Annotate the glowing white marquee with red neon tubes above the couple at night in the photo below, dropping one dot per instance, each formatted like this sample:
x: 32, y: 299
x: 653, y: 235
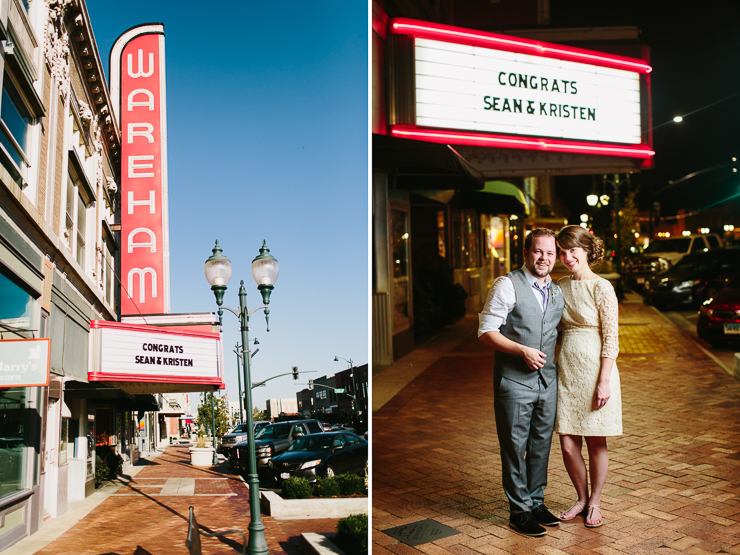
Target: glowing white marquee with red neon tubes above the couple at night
x: 479, y: 88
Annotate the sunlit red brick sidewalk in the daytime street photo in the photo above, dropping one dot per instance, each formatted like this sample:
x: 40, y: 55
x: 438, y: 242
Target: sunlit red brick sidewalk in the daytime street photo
x: 149, y: 515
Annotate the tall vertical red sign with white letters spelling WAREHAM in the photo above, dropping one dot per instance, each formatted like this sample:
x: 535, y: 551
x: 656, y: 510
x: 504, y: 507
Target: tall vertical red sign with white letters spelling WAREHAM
x: 138, y: 90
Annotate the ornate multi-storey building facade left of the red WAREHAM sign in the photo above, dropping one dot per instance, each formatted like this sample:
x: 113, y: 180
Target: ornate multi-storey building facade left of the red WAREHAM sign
x: 47, y: 119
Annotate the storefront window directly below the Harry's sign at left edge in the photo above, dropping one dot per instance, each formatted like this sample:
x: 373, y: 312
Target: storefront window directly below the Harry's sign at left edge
x: 16, y: 413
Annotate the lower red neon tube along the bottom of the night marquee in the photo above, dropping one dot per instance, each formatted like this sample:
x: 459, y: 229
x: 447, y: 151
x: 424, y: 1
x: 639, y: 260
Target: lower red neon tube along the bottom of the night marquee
x: 511, y: 141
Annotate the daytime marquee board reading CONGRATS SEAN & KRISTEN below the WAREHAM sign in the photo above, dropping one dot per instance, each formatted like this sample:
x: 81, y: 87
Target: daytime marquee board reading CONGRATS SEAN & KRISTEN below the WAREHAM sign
x: 122, y: 352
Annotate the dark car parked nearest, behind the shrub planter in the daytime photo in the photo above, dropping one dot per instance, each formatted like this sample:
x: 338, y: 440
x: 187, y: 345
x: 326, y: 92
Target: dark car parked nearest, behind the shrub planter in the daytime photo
x: 319, y: 455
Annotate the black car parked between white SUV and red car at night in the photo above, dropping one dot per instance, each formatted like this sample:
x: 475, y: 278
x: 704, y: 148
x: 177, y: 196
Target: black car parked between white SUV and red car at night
x: 694, y: 279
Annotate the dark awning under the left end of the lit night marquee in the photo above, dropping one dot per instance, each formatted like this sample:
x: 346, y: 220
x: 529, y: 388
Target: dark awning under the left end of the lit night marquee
x: 424, y: 165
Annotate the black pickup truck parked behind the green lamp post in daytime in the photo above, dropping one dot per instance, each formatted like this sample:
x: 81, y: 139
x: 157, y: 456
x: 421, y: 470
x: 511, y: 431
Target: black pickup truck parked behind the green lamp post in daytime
x: 270, y: 441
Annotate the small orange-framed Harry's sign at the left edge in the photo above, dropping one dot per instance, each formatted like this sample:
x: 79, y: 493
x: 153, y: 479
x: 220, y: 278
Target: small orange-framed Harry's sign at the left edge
x: 24, y: 362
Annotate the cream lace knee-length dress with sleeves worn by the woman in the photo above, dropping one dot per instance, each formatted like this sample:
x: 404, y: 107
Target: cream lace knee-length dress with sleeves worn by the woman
x: 590, y: 327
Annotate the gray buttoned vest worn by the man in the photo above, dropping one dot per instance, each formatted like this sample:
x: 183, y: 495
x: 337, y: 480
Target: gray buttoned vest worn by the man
x: 529, y: 326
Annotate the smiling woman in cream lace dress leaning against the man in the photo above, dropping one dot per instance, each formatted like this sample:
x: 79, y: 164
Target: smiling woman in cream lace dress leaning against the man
x: 589, y: 398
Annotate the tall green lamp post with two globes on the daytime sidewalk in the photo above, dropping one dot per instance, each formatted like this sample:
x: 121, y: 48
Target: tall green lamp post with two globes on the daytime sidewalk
x: 265, y: 273
